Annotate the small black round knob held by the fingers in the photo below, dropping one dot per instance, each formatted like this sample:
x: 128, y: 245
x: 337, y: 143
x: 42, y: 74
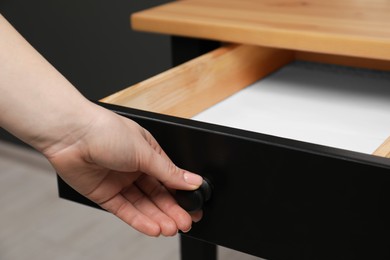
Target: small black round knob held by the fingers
x: 194, y: 200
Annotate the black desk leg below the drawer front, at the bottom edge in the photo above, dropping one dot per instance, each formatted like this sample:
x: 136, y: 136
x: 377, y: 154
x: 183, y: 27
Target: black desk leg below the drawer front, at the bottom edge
x: 194, y: 249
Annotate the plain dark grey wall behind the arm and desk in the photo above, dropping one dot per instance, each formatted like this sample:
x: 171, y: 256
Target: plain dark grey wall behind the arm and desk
x: 90, y: 41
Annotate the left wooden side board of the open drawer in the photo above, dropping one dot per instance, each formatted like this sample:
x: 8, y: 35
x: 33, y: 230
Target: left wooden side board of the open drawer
x: 198, y: 84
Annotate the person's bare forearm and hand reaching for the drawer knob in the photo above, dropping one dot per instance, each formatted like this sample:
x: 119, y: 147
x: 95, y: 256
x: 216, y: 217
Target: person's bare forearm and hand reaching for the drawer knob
x: 109, y: 159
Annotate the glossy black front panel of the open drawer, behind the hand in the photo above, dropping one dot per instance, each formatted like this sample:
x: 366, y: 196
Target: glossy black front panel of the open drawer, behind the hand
x: 278, y: 198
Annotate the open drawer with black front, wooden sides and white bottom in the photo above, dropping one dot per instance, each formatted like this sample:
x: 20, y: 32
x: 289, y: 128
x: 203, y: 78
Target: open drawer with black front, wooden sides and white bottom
x: 274, y: 196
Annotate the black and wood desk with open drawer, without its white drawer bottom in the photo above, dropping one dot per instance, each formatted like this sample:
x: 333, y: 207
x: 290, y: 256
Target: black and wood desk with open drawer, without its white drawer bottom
x: 274, y: 197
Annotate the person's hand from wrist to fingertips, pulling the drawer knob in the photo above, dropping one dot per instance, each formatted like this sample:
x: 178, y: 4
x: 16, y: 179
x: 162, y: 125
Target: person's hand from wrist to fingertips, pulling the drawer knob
x: 119, y: 165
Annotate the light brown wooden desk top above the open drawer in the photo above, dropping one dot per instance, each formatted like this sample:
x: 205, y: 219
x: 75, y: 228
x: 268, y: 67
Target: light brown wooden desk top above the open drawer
x: 345, y: 27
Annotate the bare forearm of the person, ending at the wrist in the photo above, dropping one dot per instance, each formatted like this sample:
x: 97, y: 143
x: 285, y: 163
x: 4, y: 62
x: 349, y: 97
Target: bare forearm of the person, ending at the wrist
x: 37, y: 104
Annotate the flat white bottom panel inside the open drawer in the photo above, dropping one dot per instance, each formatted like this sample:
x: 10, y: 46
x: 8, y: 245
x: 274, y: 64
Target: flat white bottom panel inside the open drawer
x: 329, y: 105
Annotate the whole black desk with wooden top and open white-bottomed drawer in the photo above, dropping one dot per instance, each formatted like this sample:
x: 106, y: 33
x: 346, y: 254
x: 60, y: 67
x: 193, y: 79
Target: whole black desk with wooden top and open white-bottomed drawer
x: 284, y: 187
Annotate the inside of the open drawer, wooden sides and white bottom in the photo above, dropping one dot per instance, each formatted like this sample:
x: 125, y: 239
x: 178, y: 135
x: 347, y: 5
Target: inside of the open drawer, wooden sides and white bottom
x: 273, y: 92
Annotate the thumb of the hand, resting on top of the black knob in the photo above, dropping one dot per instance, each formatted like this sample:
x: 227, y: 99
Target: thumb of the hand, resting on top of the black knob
x: 158, y: 165
